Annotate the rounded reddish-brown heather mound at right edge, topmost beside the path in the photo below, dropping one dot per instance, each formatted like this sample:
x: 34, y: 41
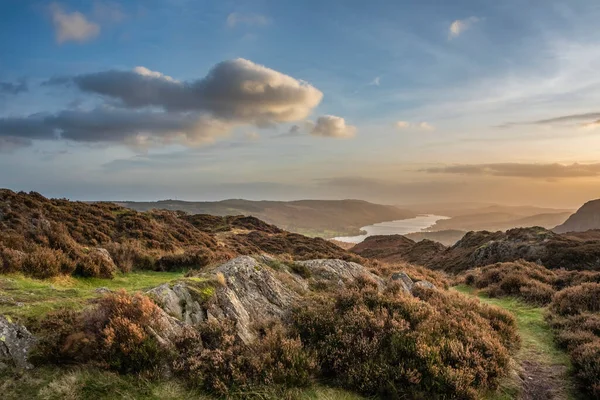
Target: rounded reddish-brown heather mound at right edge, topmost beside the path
x: 577, y: 299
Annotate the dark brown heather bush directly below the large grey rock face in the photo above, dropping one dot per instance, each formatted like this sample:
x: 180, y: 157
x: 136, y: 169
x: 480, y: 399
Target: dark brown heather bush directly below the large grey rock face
x: 215, y: 359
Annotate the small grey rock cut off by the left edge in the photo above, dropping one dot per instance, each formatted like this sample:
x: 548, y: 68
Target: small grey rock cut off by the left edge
x: 15, y: 343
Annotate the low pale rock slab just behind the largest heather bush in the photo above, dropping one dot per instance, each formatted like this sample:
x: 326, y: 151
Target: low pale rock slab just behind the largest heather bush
x: 338, y: 271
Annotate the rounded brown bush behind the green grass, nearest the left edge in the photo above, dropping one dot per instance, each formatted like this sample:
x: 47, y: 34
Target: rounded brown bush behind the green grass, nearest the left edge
x: 45, y: 263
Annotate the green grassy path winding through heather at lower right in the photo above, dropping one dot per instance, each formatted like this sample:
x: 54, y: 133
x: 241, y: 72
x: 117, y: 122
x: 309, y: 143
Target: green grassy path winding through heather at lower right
x: 537, y: 342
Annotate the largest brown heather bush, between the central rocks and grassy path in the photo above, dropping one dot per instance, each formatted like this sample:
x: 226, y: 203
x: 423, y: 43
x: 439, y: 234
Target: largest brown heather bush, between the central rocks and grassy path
x: 396, y: 345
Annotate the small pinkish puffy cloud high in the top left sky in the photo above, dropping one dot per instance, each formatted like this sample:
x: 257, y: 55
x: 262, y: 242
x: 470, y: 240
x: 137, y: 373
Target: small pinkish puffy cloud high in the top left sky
x: 72, y: 26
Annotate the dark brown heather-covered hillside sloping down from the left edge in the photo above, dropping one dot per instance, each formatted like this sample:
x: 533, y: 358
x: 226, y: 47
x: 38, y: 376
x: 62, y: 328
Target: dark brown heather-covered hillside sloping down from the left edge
x: 45, y: 237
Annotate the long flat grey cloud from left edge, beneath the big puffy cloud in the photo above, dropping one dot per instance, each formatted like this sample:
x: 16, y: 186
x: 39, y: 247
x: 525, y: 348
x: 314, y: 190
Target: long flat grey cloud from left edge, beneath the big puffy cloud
x: 138, y: 129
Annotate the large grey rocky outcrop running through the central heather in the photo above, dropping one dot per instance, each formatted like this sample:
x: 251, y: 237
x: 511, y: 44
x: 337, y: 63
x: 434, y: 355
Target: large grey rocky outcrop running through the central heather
x: 249, y: 290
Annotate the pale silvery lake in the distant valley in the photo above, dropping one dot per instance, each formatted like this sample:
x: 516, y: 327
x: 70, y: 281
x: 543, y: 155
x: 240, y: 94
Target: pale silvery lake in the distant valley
x: 399, y: 227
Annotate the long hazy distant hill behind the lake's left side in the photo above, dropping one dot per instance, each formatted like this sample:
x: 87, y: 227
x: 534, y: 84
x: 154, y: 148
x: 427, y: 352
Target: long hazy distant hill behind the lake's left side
x: 323, y: 218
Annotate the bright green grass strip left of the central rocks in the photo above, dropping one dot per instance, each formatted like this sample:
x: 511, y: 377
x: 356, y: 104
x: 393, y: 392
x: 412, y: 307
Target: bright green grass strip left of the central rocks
x: 37, y: 297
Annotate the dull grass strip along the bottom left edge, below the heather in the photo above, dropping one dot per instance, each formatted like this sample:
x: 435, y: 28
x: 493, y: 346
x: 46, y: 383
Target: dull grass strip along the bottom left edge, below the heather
x: 87, y: 383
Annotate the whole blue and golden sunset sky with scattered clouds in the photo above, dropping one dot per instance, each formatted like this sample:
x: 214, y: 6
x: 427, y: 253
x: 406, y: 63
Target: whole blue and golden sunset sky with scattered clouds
x: 394, y: 102
